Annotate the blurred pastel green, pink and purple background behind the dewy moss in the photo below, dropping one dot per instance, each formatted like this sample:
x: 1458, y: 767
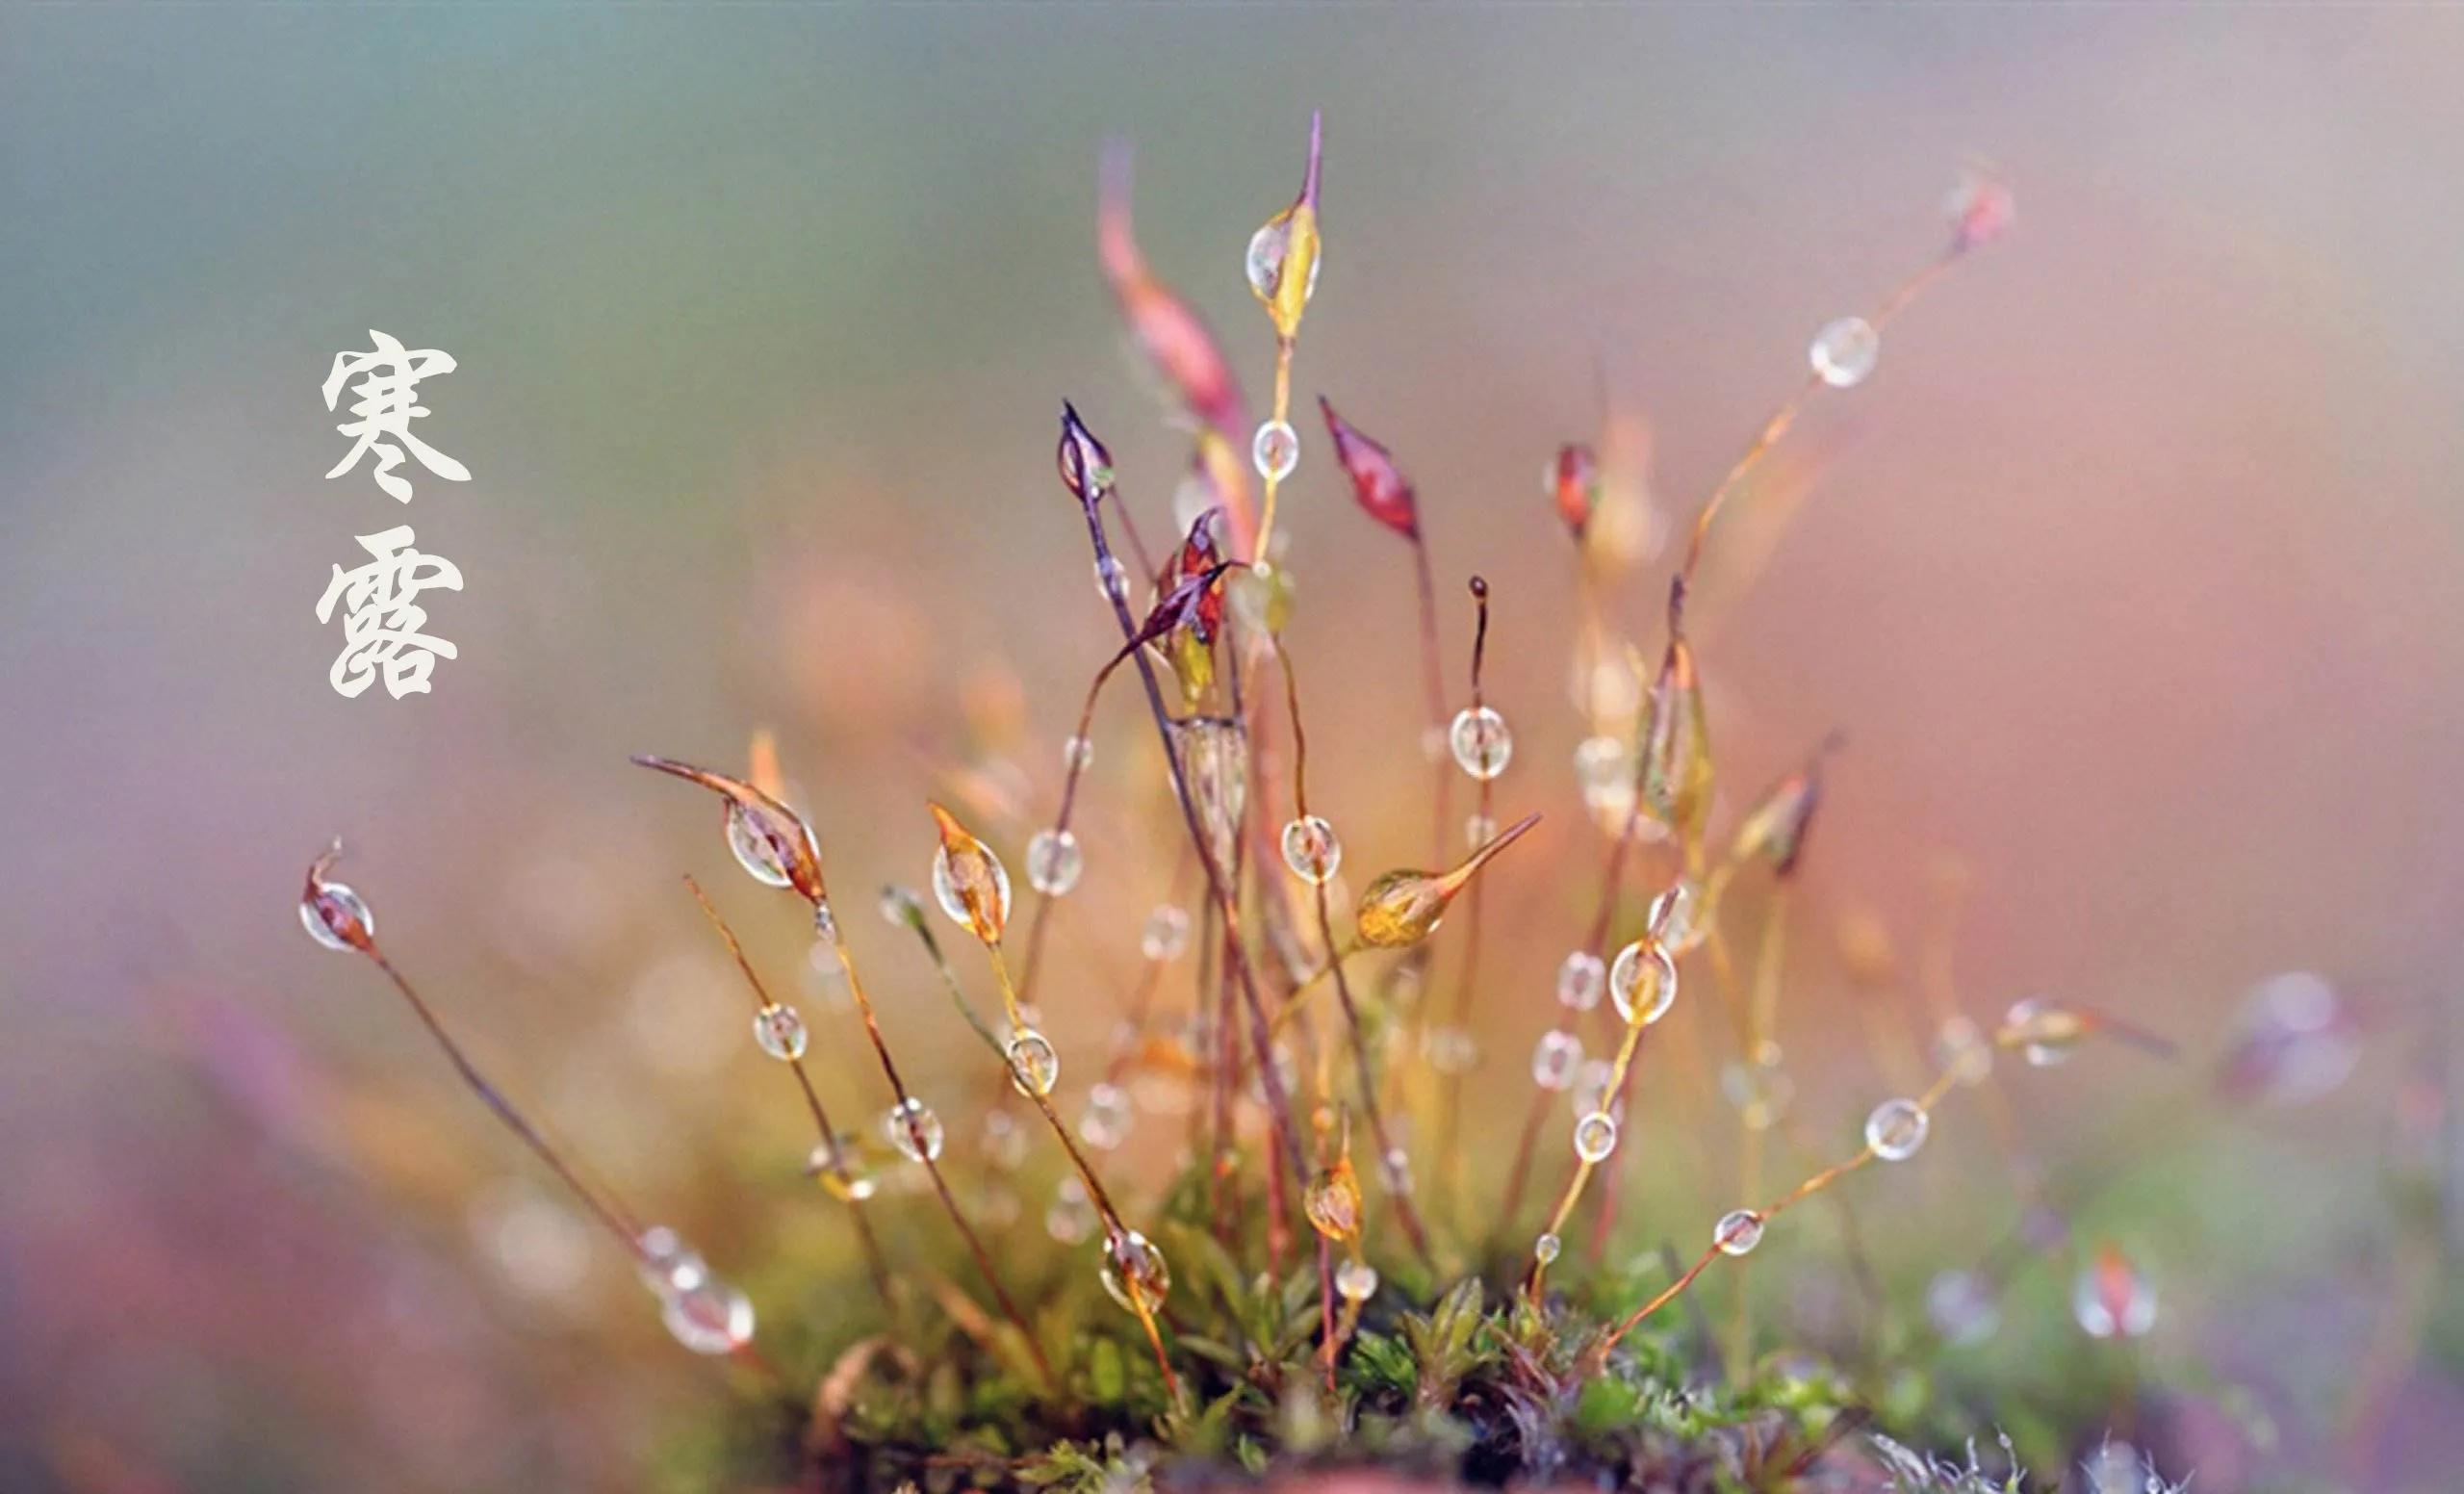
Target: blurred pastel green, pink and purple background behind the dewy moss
x: 2130, y: 581
